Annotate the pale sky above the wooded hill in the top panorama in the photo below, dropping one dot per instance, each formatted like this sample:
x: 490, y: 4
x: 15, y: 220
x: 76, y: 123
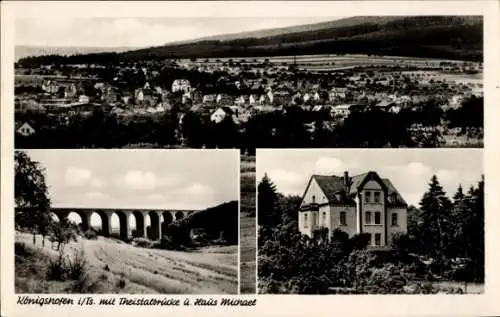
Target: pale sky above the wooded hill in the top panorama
x: 139, y: 32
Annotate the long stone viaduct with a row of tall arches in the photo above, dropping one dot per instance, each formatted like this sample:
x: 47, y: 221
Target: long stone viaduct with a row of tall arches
x: 159, y: 219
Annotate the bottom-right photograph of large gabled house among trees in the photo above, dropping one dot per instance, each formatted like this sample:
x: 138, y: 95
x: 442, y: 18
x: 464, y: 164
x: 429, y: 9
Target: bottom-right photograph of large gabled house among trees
x: 370, y: 222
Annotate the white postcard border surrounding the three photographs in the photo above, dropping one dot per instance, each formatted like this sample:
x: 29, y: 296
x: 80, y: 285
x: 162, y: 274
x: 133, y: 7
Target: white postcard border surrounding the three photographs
x: 377, y: 305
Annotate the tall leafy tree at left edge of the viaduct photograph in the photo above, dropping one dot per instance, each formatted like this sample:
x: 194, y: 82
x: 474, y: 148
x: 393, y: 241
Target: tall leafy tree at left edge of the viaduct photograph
x: 32, y: 210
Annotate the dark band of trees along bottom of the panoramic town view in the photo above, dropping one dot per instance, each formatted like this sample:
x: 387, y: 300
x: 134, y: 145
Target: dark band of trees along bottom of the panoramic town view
x: 295, y: 128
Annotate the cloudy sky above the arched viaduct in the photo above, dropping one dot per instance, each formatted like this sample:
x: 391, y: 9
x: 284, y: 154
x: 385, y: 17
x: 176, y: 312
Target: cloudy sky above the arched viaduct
x: 153, y: 179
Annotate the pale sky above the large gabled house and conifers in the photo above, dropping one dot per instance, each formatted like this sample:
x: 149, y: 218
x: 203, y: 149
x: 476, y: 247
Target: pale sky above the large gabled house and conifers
x: 409, y: 170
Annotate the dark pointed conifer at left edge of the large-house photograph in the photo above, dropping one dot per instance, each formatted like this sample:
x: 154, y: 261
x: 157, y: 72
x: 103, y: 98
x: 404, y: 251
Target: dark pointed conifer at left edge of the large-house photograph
x: 267, y: 199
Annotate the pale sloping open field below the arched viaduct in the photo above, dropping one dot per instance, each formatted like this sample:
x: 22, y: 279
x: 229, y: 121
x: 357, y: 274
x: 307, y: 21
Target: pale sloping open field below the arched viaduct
x: 144, y: 271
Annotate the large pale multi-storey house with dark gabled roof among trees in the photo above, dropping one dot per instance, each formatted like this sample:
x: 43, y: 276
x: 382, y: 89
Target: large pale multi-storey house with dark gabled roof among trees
x: 364, y: 203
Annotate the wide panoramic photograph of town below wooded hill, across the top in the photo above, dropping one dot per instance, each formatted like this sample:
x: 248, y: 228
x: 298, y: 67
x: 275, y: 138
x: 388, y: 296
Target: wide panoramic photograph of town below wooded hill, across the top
x: 249, y: 82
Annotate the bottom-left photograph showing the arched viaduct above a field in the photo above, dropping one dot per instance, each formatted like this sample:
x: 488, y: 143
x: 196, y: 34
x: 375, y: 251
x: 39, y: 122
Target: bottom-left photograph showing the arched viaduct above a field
x: 130, y: 222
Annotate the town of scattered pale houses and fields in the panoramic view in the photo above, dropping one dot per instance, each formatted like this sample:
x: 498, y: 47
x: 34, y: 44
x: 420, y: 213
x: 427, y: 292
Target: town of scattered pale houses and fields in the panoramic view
x: 239, y: 90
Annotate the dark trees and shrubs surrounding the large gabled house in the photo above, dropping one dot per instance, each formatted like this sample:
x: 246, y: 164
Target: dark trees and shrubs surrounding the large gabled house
x: 445, y: 241
